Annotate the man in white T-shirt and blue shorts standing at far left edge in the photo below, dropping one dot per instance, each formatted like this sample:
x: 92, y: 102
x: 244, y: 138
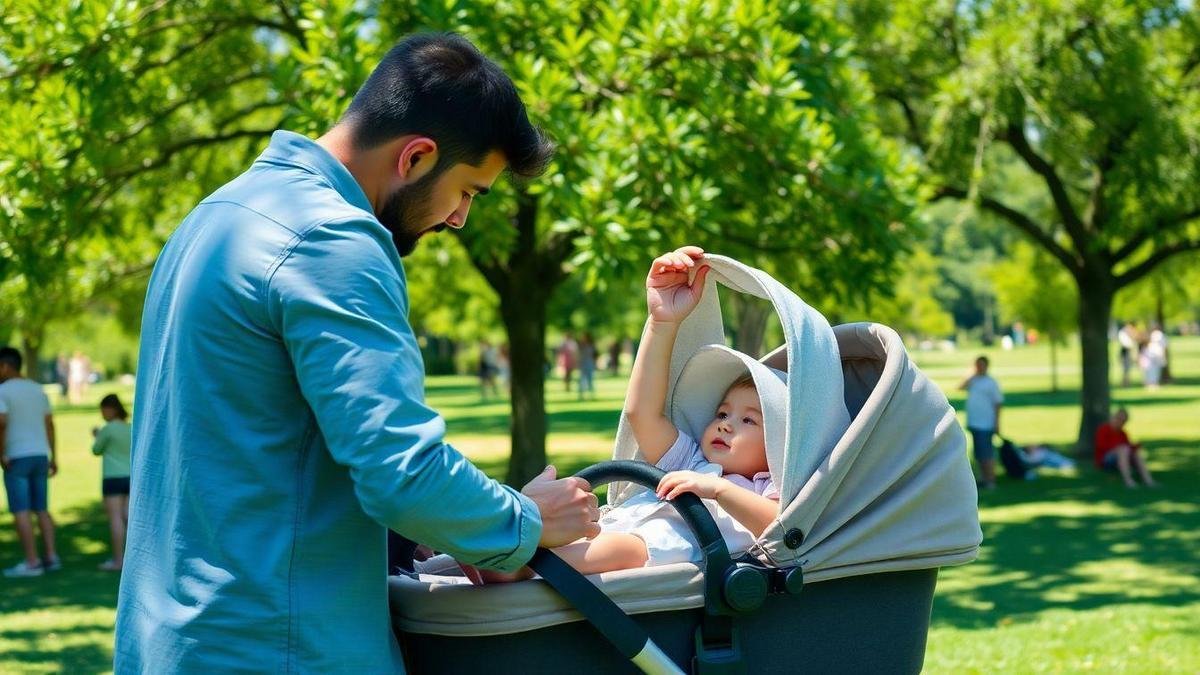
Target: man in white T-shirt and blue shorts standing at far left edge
x: 28, y: 455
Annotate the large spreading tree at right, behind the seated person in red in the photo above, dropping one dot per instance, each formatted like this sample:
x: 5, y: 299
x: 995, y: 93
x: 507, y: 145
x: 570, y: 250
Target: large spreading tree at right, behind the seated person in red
x: 1099, y: 101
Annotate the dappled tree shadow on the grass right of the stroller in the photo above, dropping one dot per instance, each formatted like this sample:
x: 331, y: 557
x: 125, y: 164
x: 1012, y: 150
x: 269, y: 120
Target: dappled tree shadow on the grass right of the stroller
x: 1082, y: 543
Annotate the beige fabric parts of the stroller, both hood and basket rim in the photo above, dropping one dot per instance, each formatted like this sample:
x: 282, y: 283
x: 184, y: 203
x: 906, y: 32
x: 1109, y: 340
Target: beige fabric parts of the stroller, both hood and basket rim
x: 873, y: 476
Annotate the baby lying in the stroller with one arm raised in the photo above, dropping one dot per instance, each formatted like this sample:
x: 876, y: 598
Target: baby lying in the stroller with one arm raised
x: 727, y: 465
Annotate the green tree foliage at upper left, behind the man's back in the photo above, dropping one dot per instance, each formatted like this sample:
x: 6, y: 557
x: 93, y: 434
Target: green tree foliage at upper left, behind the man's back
x: 119, y: 118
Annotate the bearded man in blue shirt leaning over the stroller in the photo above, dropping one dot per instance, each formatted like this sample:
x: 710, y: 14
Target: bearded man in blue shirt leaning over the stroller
x: 281, y: 421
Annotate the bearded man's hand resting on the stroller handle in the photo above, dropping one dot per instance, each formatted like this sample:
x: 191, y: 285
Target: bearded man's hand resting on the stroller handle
x: 568, y: 507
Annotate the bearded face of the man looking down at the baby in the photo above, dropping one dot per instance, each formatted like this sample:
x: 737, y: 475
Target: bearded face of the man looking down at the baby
x: 436, y: 201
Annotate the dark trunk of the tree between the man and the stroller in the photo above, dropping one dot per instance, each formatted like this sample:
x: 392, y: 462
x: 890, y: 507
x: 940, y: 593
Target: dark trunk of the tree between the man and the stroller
x: 524, y: 312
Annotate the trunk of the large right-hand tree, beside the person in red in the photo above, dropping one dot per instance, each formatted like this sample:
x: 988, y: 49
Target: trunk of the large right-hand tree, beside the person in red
x: 1095, y: 315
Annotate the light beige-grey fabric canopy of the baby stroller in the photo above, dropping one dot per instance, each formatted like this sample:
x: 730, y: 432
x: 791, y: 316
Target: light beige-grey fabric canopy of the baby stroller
x: 891, y: 491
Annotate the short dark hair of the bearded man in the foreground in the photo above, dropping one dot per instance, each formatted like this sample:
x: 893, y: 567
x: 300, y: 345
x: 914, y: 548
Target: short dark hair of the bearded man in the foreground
x: 441, y: 86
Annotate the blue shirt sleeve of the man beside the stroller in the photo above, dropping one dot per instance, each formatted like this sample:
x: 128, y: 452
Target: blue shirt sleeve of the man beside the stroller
x: 339, y: 301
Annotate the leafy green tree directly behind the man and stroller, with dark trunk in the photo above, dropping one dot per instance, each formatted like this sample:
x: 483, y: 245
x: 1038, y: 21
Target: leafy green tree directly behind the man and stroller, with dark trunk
x: 653, y: 157
